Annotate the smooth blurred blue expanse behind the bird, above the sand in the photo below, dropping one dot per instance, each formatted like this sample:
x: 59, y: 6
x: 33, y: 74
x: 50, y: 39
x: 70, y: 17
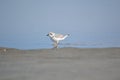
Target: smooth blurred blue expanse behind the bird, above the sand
x: 90, y: 23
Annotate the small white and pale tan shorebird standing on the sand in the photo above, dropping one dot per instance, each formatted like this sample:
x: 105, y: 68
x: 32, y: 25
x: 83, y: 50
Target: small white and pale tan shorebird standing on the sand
x: 56, y: 38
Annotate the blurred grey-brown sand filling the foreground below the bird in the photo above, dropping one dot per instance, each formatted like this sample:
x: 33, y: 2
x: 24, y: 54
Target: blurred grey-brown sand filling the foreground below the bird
x: 60, y: 64
